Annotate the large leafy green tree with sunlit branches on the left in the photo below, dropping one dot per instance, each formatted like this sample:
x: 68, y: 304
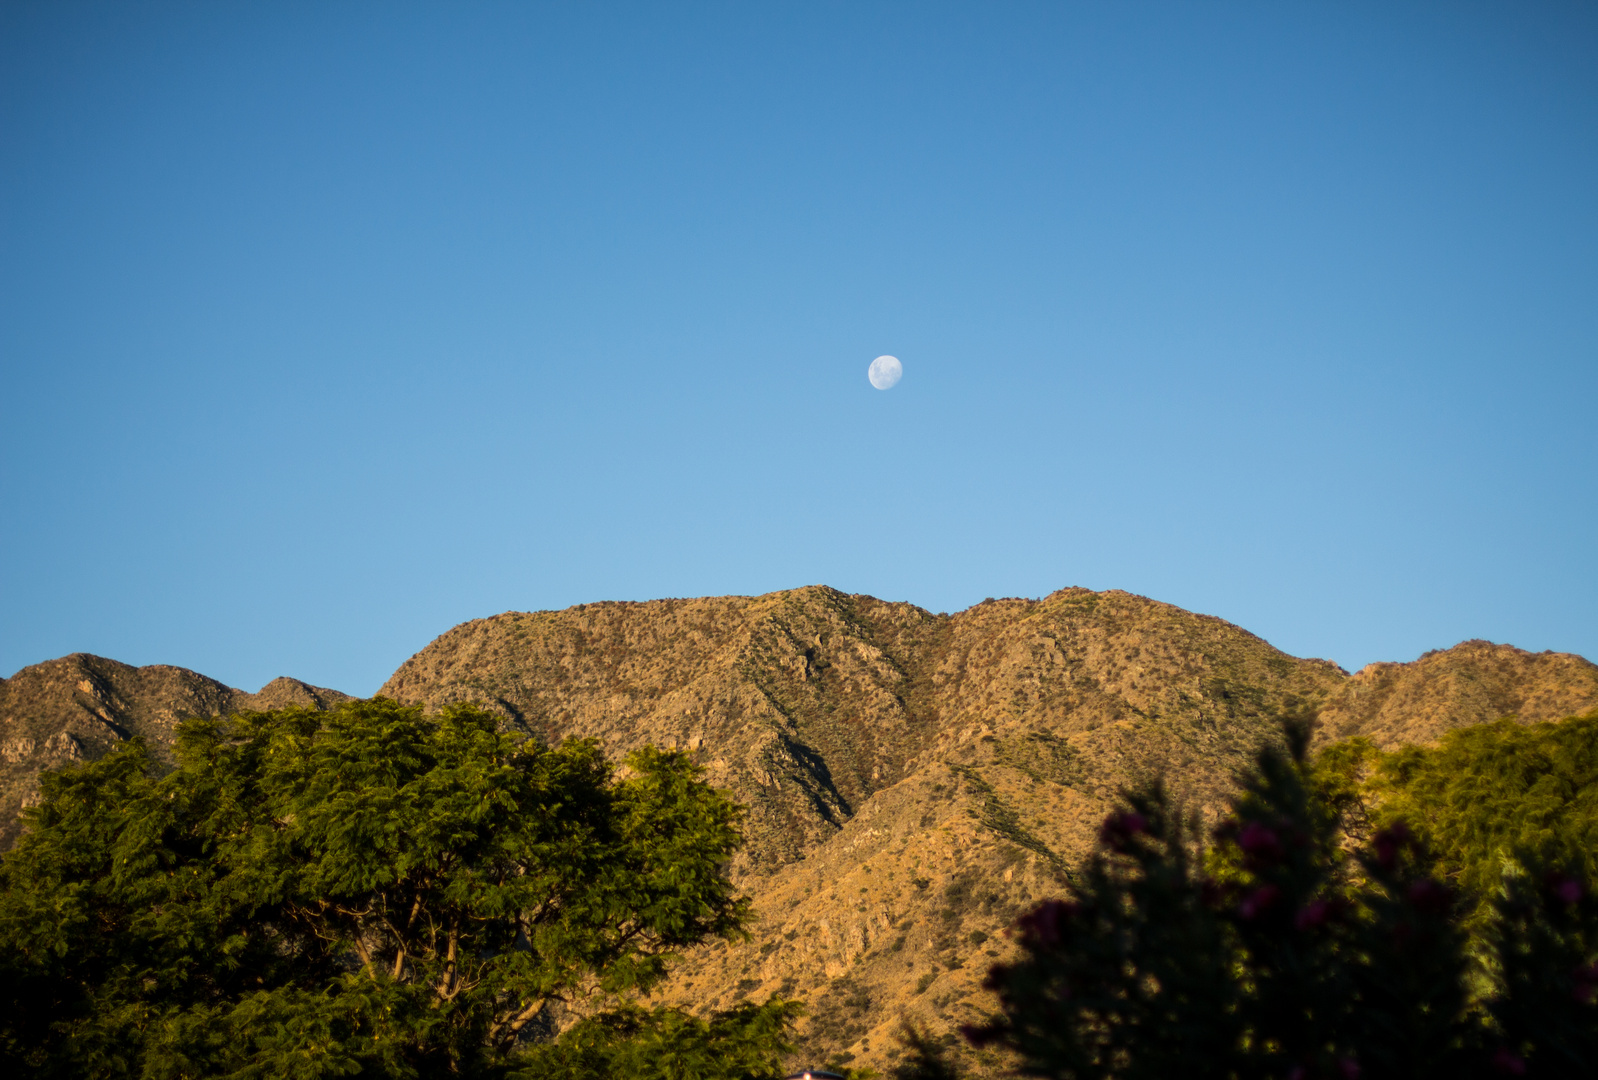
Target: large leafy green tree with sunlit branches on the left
x: 367, y: 892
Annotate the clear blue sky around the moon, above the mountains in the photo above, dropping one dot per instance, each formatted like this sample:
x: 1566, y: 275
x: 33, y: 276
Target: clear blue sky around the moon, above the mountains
x: 330, y: 327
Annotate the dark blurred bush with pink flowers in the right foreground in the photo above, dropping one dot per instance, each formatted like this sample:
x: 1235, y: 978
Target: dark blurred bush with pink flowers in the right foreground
x: 1287, y: 951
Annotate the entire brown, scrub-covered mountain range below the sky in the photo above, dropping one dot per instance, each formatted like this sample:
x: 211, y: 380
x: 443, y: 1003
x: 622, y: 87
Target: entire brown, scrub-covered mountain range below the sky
x: 913, y: 780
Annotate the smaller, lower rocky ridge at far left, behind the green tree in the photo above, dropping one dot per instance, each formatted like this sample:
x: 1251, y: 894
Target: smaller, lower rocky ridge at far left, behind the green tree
x: 79, y: 707
